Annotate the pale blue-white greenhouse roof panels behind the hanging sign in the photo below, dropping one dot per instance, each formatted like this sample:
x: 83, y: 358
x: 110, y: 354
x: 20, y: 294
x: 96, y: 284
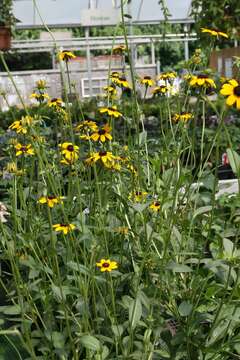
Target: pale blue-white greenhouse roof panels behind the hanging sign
x: 70, y: 13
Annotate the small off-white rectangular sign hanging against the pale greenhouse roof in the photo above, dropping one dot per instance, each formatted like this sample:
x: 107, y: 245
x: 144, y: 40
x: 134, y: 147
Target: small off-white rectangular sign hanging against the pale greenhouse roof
x: 99, y: 17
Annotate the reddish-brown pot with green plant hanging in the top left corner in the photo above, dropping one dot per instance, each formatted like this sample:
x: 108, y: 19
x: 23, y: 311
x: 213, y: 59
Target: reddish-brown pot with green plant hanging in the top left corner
x: 7, y: 20
